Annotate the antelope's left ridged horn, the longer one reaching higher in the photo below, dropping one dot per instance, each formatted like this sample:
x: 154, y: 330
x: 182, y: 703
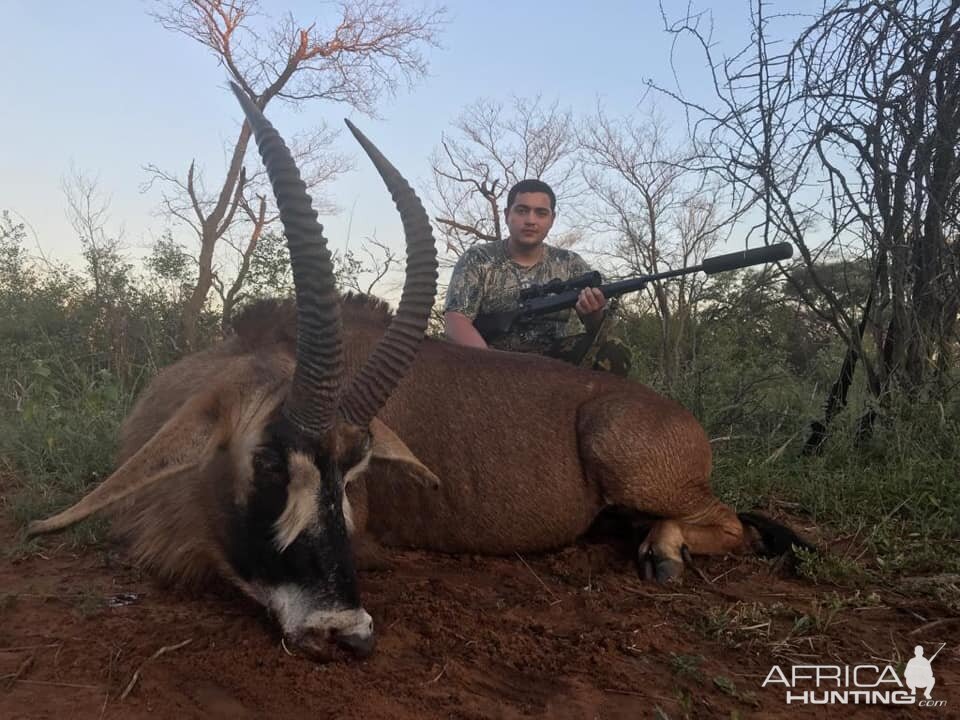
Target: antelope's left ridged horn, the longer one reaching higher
x: 312, y: 402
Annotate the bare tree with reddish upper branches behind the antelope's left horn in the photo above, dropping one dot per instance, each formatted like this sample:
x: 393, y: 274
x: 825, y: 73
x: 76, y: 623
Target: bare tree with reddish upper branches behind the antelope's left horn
x: 371, y: 46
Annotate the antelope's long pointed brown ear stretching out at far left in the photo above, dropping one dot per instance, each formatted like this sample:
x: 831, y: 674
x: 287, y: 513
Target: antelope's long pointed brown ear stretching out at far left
x: 179, y: 446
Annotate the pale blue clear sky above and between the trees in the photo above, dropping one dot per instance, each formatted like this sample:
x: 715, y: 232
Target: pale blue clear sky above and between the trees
x: 103, y: 88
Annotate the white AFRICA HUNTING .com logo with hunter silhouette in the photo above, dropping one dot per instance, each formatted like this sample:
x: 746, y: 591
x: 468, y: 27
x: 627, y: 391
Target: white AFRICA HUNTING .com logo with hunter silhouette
x: 864, y: 684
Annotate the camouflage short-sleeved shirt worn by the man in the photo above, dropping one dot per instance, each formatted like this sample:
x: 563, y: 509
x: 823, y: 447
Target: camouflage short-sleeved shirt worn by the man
x: 486, y: 280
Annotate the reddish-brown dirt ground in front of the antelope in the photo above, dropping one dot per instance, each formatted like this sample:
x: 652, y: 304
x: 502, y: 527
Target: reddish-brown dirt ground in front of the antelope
x: 573, y: 634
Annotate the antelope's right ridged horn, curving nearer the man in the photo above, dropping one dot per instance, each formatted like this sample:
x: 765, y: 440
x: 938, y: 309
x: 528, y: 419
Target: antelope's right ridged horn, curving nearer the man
x: 395, y: 351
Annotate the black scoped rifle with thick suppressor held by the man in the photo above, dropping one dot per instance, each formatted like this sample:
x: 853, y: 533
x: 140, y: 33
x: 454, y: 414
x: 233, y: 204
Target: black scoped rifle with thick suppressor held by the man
x: 559, y: 294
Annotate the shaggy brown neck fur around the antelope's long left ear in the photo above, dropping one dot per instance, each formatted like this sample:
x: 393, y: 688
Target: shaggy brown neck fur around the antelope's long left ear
x: 176, y: 528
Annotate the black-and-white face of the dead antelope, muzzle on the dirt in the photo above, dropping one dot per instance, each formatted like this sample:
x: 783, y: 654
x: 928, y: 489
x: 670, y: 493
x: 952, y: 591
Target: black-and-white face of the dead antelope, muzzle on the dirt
x: 290, y: 546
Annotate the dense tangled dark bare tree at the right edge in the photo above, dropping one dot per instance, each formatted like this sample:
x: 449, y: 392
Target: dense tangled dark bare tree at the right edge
x: 844, y: 142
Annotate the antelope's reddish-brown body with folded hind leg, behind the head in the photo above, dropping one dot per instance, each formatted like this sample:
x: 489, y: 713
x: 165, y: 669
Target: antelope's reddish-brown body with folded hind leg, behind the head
x: 529, y: 451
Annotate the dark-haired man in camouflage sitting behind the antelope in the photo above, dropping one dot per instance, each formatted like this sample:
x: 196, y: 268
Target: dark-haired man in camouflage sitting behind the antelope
x: 489, y: 277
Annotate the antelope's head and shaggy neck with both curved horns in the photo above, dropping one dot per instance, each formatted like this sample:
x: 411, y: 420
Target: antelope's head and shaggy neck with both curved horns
x: 233, y: 460
